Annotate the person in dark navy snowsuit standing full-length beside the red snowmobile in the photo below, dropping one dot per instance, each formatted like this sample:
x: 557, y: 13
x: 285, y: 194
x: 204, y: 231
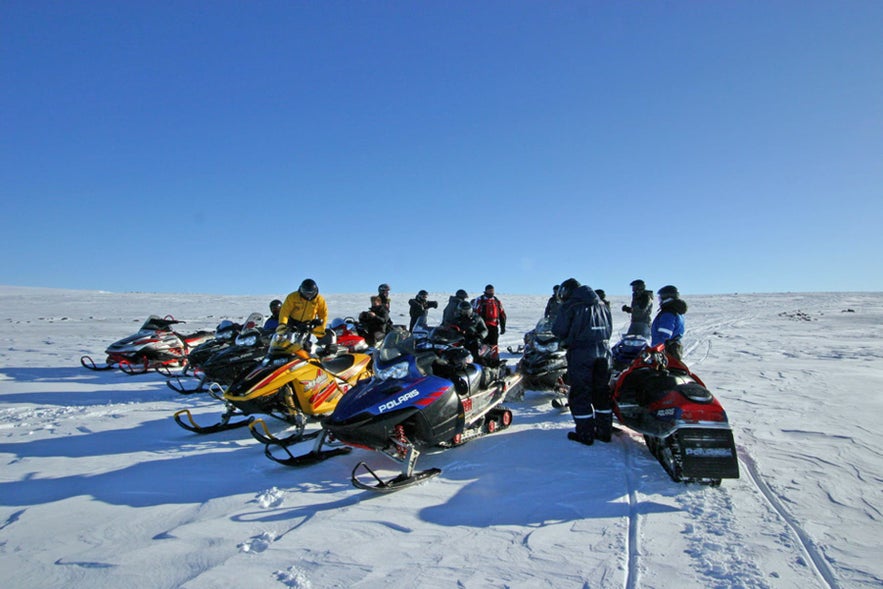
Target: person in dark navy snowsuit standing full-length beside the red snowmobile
x: 584, y: 326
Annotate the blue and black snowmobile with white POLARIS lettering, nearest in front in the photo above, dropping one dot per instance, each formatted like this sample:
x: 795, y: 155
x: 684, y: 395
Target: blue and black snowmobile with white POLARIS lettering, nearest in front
x: 426, y: 393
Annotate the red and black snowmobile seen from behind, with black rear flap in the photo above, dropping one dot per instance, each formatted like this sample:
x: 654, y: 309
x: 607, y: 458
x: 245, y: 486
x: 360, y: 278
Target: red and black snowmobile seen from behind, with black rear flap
x: 684, y: 425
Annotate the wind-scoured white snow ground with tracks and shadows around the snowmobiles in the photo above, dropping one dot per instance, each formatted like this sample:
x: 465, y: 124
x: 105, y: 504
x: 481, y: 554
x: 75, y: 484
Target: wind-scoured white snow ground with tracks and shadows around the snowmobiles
x: 99, y: 488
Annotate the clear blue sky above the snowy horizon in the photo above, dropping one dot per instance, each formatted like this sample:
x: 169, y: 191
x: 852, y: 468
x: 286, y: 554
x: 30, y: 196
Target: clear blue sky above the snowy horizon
x: 239, y: 147
